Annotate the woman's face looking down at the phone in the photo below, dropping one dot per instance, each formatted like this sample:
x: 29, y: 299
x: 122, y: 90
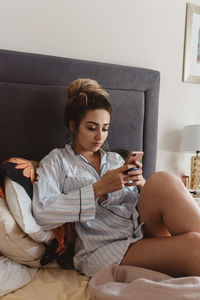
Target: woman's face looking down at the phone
x: 92, y: 131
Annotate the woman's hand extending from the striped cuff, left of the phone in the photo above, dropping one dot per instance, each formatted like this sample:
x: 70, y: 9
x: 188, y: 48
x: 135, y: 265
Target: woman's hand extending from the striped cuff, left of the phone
x: 113, y: 180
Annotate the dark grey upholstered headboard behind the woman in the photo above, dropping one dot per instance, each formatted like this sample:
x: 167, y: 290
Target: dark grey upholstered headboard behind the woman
x: 33, y: 95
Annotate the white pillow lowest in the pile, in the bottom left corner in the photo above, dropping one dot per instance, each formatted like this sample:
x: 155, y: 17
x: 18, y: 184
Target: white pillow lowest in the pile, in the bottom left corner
x: 13, y: 275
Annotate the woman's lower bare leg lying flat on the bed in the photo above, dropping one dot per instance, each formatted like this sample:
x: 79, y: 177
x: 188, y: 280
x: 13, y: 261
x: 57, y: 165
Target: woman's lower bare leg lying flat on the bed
x: 175, y: 255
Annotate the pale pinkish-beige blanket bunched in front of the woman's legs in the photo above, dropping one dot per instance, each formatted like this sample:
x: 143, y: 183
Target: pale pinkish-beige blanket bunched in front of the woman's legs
x: 129, y: 283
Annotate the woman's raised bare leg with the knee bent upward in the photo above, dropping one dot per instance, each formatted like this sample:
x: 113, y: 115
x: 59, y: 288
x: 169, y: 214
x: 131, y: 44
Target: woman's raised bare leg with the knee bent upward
x: 165, y: 205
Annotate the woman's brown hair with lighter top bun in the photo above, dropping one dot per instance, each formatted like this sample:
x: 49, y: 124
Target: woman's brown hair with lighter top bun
x: 84, y: 95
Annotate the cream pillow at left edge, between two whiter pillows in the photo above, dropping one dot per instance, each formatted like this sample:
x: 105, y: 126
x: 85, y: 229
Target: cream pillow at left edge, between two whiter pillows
x: 14, y: 243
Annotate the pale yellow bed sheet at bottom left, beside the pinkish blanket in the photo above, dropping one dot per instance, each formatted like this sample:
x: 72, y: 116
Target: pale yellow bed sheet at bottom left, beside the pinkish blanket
x: 53, y: 284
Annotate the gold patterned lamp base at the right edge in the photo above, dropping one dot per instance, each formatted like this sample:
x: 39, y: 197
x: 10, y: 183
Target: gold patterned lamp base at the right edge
x: 195, y: 172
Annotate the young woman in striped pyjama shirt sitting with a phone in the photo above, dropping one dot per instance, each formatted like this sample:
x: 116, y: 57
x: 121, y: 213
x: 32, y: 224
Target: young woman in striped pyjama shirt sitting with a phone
x: 157, y: 228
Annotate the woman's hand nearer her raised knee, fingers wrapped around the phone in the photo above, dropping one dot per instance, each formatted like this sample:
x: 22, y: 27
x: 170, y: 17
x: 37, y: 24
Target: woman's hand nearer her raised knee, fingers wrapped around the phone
x: 136, y: 176
